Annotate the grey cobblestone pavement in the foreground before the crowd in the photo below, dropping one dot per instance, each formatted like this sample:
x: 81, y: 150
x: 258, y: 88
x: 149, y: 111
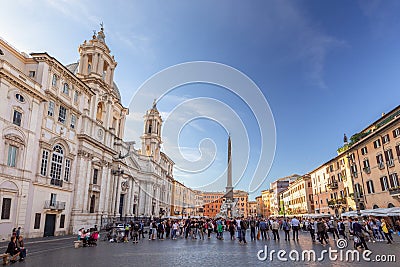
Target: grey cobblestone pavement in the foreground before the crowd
x: 188, y: 252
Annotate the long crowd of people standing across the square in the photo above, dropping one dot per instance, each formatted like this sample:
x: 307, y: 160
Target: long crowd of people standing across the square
x: 320, y: 229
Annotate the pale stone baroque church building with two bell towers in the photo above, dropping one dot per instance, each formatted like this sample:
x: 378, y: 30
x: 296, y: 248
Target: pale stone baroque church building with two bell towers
x: 64, y: 163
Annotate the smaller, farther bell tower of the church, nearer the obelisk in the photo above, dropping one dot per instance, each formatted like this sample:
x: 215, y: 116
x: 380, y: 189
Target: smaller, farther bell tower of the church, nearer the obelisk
x: 151, y: 138
